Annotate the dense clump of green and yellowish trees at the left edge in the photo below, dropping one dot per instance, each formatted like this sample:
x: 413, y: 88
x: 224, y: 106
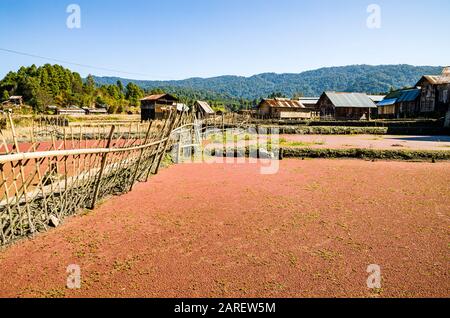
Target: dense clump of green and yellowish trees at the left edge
x: 50, y: 85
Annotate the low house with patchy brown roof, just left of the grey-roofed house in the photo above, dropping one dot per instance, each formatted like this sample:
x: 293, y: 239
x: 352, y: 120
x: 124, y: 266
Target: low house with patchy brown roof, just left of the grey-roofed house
x: 284, y: 108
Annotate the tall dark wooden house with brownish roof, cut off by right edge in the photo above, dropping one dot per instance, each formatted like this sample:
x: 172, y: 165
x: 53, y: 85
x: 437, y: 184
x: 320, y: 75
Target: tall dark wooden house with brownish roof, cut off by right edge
x: 435, y: 93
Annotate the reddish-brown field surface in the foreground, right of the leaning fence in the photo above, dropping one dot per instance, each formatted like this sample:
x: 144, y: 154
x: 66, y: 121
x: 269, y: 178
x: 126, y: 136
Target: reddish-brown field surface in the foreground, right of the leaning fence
x: 194, y: 230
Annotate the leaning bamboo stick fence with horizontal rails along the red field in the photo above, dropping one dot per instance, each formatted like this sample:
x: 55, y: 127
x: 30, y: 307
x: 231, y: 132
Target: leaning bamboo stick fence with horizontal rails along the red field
x: 50, y: 173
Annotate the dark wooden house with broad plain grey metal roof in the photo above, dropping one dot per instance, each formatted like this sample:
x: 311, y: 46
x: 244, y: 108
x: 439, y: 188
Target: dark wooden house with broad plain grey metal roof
x: 345, y: 106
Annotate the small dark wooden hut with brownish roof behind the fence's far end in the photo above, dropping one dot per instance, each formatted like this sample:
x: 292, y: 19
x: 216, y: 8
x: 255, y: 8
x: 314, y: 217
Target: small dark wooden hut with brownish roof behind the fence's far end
x: 157, y: 106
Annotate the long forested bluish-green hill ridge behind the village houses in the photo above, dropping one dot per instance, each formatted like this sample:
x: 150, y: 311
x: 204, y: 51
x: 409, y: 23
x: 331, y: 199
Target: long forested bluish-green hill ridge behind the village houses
x: 355, y: 78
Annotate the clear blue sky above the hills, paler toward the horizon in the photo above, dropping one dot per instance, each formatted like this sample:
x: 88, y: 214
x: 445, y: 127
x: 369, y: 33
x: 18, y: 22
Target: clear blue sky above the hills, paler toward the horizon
x: 176, y: 39
